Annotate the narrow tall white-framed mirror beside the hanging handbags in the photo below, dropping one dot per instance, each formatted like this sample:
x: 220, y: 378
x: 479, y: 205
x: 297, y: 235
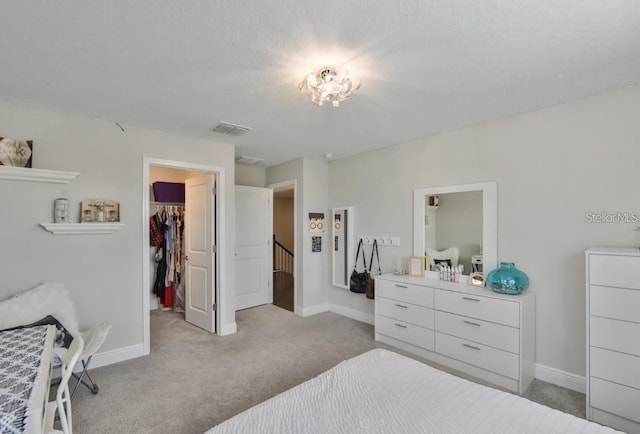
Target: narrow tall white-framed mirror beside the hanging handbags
x: 342, y: 244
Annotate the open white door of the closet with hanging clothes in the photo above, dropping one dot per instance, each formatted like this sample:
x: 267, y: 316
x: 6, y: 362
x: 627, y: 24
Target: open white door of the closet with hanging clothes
x: 200, y: 260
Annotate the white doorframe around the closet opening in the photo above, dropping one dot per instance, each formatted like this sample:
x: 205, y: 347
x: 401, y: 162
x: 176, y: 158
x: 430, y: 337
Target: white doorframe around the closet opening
x: 220, y: 260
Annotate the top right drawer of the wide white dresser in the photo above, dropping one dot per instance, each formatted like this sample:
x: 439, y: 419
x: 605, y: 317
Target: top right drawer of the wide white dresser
x: 476, y: 306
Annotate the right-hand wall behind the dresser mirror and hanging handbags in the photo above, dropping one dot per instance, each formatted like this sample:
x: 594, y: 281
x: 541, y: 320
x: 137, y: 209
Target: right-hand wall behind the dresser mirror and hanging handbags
x: 552, y: 166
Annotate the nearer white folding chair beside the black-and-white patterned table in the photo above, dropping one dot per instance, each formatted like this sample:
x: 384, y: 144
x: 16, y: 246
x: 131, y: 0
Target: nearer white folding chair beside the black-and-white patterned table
x: 62, y: 405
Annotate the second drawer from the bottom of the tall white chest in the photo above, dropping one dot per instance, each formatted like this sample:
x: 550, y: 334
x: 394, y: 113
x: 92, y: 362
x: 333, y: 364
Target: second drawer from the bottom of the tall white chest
x: 616, y: 367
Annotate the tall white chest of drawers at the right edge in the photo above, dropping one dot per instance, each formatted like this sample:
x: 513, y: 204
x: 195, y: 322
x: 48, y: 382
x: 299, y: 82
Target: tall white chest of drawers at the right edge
x: 613, y: 337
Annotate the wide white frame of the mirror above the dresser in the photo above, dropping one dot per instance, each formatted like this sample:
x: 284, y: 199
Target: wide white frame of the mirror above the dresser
x: 489, y: 218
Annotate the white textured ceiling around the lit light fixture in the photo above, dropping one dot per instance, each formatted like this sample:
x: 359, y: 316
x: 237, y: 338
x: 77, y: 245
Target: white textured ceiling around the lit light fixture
x: 426, y: 66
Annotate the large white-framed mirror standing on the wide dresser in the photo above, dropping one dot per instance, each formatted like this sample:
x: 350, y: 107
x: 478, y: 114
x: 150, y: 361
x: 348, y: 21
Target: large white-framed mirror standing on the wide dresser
x: 463, y: 217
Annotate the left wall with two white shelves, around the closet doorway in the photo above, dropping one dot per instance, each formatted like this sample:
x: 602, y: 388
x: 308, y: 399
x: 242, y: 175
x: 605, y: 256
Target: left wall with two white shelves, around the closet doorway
x: 103, y: 272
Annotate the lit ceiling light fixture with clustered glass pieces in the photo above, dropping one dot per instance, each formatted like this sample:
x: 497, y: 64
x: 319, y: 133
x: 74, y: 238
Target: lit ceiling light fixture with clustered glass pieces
x: 326, y: 85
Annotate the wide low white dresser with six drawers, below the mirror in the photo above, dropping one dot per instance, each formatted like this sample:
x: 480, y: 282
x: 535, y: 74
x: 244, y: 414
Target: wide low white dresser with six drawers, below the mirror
x: 472, y: 329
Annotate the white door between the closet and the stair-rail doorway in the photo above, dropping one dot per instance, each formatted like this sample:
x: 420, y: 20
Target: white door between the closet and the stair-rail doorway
x: 254, y: 255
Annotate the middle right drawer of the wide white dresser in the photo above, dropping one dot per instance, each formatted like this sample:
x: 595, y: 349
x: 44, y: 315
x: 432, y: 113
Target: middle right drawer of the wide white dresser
x: 488, y: 333
